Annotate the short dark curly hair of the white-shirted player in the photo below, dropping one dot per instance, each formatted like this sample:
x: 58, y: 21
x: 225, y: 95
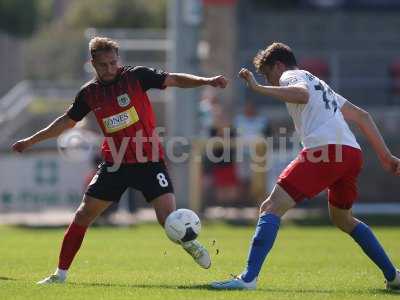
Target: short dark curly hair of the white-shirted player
x: 273, y: 53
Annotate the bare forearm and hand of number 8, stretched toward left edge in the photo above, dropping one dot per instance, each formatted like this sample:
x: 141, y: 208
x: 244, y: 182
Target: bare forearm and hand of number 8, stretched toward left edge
x: 53, y: 130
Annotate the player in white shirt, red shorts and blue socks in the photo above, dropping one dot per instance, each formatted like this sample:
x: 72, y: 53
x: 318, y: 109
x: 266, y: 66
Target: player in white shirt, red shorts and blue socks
x: 331, y: 159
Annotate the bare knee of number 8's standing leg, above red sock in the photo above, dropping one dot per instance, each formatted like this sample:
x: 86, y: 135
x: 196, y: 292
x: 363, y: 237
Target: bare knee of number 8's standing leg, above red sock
x: 89, y: 210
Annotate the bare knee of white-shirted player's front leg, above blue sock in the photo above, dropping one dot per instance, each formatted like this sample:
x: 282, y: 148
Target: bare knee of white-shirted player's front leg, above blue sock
x: 278, y: 203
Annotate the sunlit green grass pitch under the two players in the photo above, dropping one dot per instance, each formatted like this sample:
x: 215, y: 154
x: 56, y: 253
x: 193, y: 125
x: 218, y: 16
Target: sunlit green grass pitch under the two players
x: 140, y: 263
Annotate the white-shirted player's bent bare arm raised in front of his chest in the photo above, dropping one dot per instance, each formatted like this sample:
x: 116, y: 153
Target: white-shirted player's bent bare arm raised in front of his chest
x: 291, y: 94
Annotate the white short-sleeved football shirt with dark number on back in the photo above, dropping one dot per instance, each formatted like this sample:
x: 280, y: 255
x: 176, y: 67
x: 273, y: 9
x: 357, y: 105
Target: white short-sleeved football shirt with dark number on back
x: 318, y: 122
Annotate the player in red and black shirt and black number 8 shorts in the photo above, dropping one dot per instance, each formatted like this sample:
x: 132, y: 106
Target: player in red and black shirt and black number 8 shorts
x: 132, y: 153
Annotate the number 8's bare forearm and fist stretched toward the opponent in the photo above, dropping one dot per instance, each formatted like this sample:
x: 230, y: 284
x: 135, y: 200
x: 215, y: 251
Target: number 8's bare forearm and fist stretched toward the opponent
x: 183, y: 80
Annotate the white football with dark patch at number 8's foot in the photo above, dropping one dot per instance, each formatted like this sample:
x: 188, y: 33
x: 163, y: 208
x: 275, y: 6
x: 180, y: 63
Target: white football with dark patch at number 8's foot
x: 182, y: 225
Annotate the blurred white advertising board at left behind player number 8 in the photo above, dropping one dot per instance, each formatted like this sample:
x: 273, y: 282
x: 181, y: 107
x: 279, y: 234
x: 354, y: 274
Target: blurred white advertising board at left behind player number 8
x: 40, y: 181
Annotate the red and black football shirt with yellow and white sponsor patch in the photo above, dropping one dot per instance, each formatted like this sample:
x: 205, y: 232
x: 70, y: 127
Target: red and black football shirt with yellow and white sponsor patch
x: 123, y: 112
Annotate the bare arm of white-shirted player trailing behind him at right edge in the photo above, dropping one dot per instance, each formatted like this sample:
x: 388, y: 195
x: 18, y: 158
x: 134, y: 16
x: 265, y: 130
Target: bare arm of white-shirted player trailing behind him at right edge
x: 369, y: 129
